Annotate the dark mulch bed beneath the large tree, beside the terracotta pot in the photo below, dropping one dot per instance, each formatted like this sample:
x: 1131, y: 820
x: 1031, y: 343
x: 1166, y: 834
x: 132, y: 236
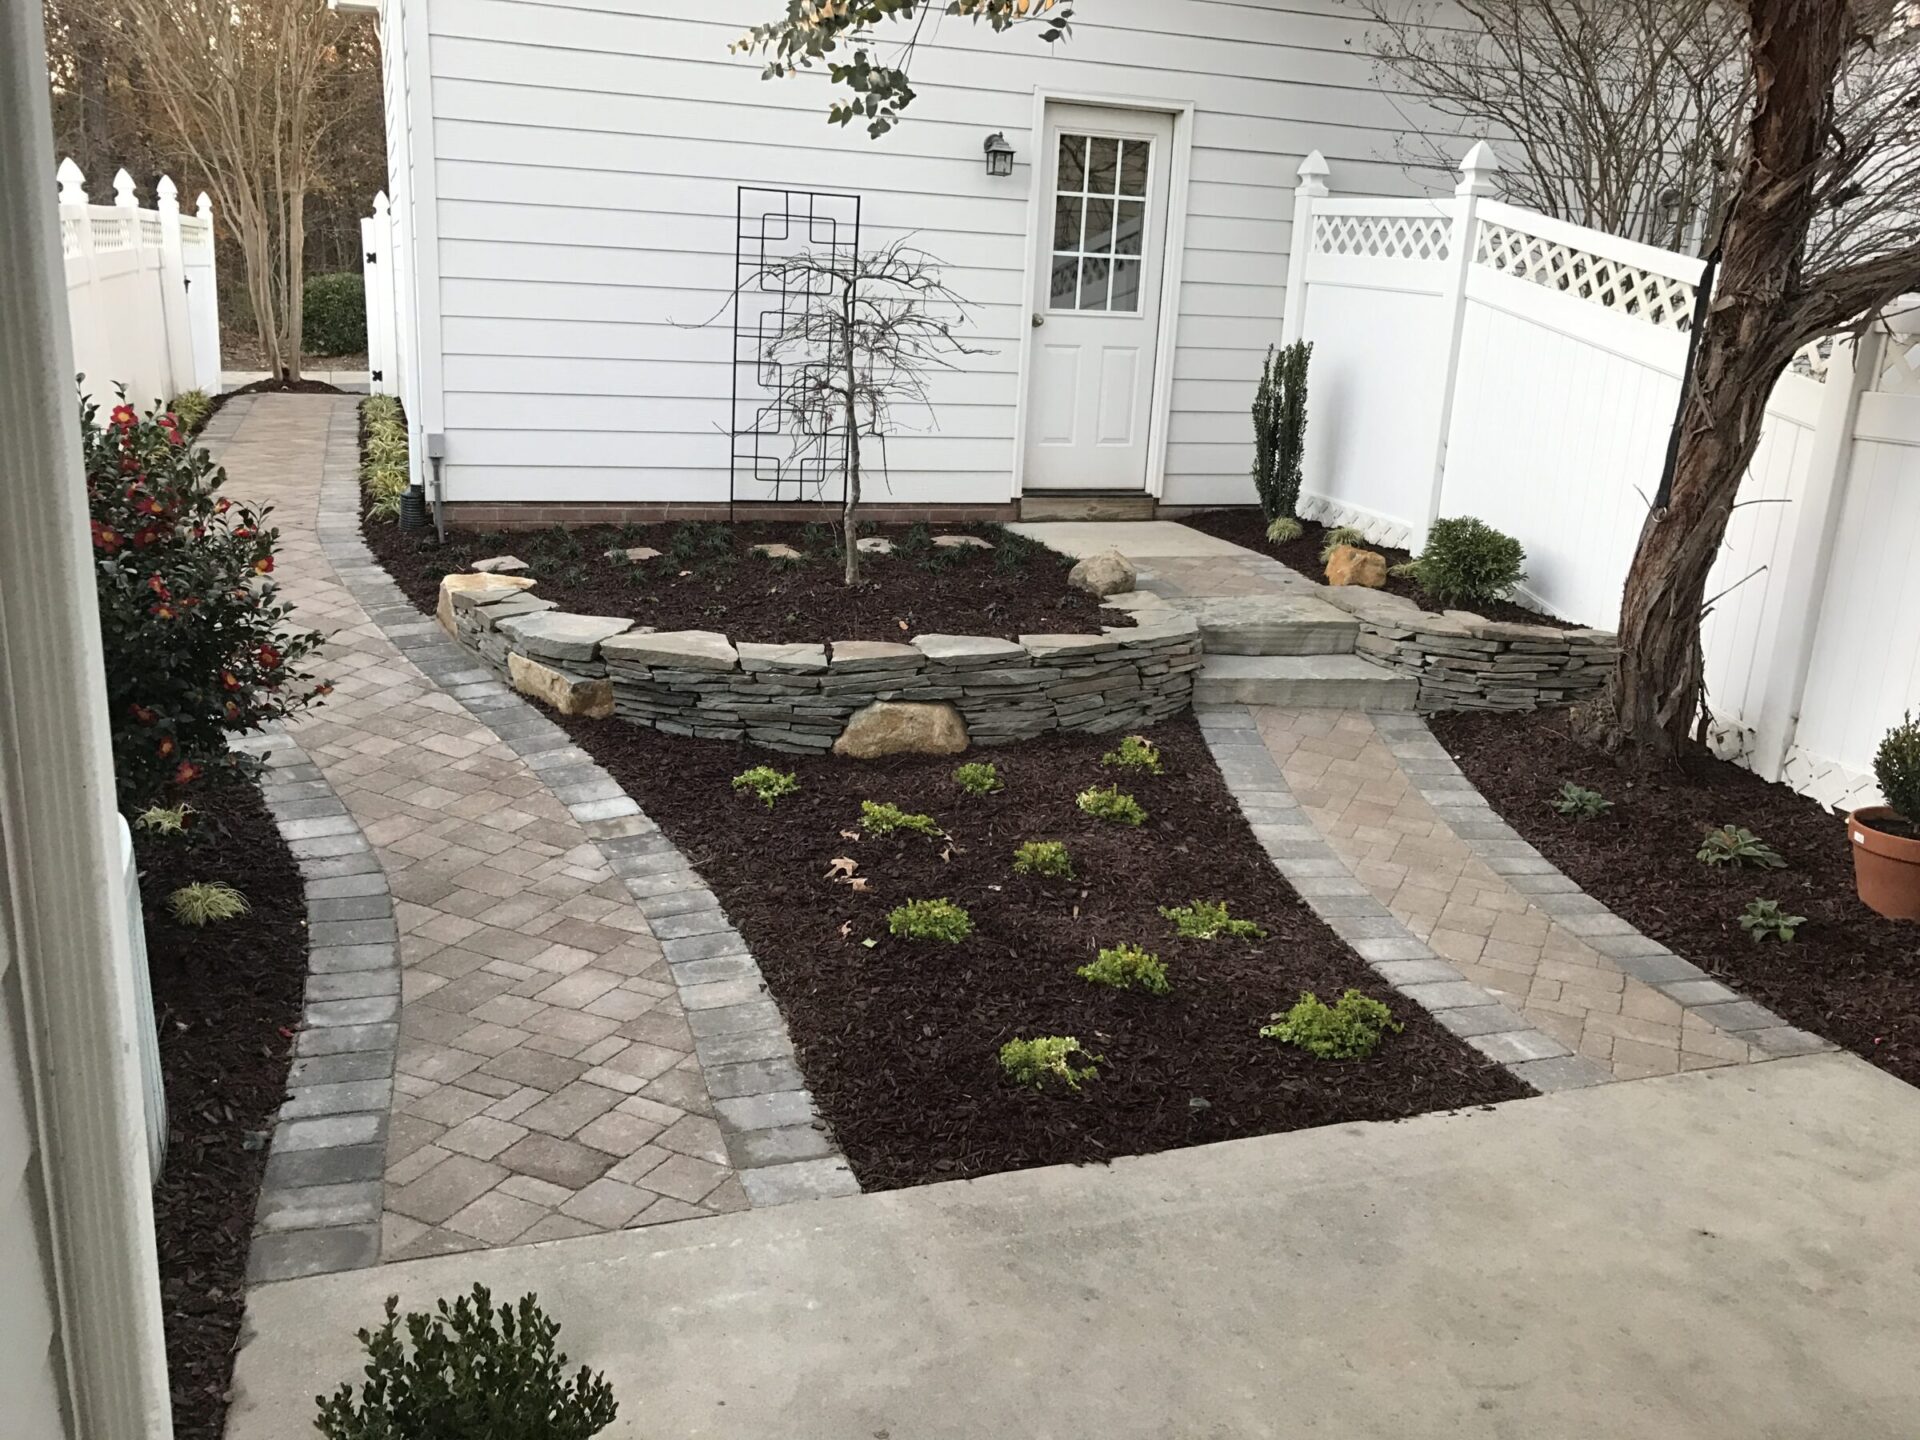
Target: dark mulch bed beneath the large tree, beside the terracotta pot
x: 1848, y: 976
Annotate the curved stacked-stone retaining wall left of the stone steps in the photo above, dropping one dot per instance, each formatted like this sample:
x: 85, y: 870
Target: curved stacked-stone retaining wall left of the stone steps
x: 802, y: 698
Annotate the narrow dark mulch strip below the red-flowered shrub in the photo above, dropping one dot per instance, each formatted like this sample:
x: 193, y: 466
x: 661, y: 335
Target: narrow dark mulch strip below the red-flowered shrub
x: 228, y: 999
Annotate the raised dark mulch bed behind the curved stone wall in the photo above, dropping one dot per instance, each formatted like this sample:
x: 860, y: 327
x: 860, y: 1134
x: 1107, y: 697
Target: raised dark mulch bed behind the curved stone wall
x: 709, y: 579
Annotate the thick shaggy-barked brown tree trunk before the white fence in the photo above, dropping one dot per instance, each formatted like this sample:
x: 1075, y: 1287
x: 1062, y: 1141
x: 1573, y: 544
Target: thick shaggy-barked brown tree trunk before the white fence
x: 1746, y: 343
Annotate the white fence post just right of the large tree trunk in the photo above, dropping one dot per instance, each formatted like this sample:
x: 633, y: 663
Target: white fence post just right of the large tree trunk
x: 1788, y: 633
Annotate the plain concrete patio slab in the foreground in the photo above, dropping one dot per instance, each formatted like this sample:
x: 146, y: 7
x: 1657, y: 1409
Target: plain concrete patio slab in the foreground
x: 1725, y: 1255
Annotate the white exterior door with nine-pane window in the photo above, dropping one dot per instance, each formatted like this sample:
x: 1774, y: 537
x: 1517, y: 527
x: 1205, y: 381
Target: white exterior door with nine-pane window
x: 1097, y: 297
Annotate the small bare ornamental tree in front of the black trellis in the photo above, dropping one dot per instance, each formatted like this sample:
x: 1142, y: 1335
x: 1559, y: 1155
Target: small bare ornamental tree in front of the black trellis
x: 865, y: 341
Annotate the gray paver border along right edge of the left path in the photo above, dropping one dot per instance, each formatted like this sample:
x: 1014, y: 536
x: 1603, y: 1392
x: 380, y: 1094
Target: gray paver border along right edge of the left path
x: 775, y: 1136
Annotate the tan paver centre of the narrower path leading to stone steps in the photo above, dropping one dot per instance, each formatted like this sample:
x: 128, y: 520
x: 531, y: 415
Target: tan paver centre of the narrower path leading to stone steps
x: 1408, y: 857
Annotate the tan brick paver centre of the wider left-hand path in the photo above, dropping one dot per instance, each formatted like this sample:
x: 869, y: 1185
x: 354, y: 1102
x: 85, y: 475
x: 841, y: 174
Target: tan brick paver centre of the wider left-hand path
x: 546, y: 1078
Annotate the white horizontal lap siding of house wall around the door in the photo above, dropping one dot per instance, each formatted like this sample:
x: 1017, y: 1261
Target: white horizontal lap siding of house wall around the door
x: 587, y: 160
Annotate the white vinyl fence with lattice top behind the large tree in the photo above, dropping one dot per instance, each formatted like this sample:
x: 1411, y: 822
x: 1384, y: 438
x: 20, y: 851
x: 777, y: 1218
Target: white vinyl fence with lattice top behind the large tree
x: 1476, y: 358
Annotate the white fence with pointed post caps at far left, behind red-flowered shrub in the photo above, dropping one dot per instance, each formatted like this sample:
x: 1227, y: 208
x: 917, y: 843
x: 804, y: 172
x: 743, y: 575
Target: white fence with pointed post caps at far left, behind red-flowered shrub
x: 141, y: 295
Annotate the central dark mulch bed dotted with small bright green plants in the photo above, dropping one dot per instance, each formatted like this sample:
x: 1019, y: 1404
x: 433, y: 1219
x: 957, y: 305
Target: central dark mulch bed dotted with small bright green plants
x: 900, y: 1040
